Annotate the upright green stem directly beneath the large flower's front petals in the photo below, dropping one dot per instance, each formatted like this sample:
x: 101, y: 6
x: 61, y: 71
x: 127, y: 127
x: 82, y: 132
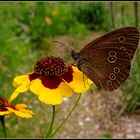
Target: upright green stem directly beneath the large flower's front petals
x: 51, y: 125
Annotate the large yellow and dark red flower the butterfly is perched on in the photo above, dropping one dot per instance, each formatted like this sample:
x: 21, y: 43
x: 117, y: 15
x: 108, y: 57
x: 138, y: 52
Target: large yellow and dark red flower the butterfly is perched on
x: 51, y: 80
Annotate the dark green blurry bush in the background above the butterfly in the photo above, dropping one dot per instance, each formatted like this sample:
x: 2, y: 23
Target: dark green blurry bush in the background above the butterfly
x: 90, y: 13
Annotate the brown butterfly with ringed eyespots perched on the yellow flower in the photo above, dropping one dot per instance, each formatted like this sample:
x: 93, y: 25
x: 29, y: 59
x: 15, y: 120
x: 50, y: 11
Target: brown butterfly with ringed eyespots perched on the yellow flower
x: 107, y: 60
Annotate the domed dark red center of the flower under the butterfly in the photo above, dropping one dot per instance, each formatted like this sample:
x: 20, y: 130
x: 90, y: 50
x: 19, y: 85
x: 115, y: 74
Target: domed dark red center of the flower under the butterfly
x: 50, y: 66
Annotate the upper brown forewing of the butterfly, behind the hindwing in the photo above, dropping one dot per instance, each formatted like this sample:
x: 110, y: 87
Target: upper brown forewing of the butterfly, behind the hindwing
x: 124, y: 38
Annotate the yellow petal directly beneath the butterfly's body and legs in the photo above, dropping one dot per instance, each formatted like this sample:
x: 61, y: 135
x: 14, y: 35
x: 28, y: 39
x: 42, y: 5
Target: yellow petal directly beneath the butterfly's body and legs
x: 80, y: 82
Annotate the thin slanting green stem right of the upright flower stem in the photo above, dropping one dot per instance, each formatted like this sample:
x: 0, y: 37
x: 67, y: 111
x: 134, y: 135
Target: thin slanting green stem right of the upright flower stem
x: 66, y: 118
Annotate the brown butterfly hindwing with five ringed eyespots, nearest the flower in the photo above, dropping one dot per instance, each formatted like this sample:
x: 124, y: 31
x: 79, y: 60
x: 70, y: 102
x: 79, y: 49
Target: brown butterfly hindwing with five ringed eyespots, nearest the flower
x: 105, y: 70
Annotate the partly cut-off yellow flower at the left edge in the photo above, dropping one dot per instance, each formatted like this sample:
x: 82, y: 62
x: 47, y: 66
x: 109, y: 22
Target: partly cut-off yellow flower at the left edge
x: 7, y: 108
